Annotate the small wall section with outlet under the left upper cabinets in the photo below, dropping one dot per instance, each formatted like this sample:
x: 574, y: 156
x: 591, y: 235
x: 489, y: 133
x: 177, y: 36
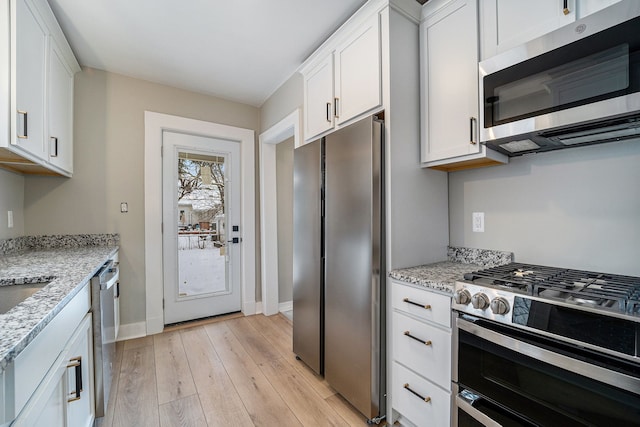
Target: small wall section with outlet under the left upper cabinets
x: 11, y: 199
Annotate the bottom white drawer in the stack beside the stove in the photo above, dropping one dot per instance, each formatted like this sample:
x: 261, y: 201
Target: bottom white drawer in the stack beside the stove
x: 434, y: 412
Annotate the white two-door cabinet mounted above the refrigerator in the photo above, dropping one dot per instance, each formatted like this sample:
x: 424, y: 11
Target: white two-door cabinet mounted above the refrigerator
x: 345, y: 81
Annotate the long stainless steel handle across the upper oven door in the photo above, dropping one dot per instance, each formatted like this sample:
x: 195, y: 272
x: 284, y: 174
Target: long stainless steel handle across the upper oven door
x: 607, y: 376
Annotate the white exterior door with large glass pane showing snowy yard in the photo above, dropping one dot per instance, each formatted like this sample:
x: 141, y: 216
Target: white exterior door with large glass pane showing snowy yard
x: 201, y: 226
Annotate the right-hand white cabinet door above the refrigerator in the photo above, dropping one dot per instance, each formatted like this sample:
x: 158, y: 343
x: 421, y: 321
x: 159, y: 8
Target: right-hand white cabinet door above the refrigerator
x: 358, y: 81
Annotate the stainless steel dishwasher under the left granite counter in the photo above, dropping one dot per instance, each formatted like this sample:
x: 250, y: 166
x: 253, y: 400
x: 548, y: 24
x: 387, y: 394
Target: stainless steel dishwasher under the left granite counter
x: 105, y: 305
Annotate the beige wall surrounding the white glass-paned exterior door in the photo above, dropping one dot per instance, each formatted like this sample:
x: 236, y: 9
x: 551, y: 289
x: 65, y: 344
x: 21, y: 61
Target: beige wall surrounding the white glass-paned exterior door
x: 108, y: 163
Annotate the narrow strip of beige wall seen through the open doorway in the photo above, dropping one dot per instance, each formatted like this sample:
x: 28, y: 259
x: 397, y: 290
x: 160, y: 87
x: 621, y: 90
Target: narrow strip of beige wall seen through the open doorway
x: 284, y: 183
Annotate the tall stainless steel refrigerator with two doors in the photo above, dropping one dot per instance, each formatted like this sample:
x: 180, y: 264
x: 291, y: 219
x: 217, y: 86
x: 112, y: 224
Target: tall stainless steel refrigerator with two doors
x: 339, y: 273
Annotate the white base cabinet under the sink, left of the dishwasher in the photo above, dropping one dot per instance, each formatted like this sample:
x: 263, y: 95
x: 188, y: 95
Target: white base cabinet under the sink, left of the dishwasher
x: 51, y: 381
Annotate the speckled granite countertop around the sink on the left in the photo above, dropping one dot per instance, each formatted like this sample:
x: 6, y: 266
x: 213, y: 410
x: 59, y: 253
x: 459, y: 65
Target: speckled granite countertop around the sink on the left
x: 68, y: 268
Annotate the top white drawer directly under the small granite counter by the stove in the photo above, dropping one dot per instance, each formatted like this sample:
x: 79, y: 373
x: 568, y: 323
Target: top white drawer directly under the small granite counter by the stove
x: 422, y: 303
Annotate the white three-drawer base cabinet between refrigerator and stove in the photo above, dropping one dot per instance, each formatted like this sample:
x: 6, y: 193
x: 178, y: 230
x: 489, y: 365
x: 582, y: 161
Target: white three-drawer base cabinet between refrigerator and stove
x: 421, y: 337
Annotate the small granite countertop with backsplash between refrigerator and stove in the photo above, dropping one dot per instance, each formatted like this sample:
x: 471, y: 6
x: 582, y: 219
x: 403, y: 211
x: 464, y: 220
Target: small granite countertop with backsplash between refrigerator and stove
x: 441, y: 276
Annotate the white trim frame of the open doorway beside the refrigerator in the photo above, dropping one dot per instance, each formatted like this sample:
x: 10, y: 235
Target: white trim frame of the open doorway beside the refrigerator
x: 280, y: 132
